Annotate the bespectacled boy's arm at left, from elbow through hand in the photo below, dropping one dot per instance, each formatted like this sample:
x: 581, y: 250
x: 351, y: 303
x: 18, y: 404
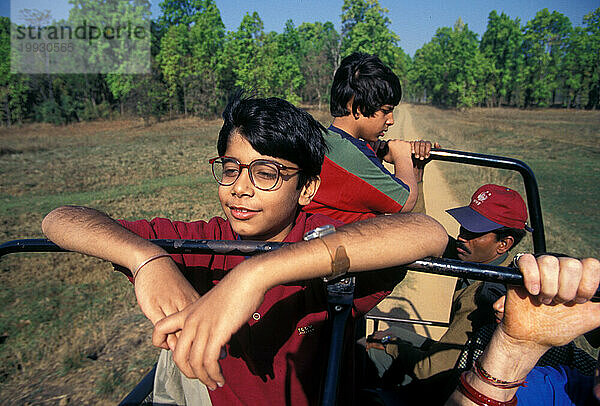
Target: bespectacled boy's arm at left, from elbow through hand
x: 92, y: 232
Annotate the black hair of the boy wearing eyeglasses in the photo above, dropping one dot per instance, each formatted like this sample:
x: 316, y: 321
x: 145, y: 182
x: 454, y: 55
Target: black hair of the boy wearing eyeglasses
x: 276, y: 128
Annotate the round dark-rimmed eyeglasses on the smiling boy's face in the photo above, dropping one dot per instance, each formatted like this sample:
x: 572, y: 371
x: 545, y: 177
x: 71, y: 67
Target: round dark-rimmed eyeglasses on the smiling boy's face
x: 263, y: 173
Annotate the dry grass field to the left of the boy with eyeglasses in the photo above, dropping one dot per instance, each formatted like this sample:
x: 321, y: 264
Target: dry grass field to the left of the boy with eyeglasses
x: 70, y: 327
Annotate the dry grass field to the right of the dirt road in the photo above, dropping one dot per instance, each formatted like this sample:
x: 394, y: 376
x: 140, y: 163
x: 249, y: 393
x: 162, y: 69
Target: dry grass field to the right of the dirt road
x: 561, y: 146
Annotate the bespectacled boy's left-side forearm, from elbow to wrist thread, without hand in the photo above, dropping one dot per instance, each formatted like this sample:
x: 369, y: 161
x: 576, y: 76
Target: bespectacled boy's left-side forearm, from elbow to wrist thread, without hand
x: 92, y: 232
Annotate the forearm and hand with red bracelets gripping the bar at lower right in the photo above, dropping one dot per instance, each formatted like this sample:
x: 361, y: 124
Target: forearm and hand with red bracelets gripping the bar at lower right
x: 530, y: 328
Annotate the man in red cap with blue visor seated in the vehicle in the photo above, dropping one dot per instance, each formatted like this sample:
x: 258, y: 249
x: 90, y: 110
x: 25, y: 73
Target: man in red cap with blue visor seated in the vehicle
x: 491, y: 225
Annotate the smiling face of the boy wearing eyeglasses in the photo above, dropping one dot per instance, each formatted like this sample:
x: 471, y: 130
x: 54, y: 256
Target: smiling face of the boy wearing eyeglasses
x: 265, y: 215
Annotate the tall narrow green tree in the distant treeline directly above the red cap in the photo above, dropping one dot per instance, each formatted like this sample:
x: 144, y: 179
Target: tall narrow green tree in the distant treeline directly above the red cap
x: 501, y: 44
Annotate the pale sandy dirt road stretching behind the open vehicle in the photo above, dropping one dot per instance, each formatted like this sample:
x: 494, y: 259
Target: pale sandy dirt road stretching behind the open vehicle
x: 422, y: 296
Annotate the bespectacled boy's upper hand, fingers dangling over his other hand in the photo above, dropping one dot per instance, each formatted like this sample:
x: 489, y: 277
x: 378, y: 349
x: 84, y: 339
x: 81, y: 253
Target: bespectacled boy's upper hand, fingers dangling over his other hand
x: 207, y: 325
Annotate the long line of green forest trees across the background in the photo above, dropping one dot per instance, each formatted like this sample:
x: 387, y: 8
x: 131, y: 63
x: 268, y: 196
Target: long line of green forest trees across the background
x: 196, y: 64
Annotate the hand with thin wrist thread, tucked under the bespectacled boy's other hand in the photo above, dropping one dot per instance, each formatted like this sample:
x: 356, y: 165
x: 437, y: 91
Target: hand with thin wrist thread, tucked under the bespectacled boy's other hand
x: 162, y: 290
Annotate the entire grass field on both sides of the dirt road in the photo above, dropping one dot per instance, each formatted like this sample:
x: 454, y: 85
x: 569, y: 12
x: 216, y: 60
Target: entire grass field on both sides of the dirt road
x: 70, y: 330
